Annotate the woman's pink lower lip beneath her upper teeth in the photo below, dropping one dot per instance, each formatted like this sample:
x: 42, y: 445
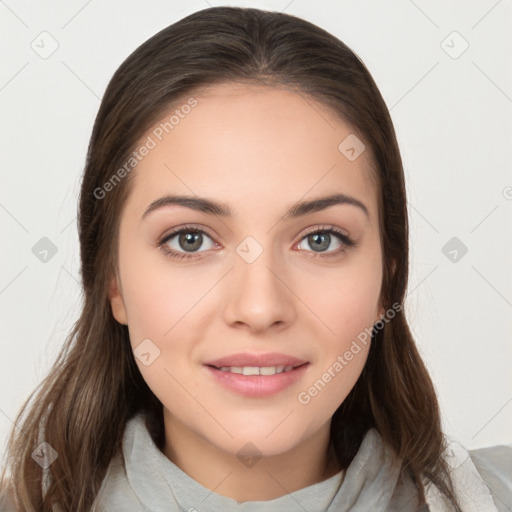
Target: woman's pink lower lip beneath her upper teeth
x: 258, y: 385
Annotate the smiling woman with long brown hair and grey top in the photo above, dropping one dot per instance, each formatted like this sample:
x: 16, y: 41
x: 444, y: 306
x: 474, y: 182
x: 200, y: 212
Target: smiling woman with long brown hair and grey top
x: 243, y: 232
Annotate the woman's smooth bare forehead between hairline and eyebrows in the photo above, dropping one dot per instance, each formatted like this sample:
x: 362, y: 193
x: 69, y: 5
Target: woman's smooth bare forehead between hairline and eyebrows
x: 251, y: 144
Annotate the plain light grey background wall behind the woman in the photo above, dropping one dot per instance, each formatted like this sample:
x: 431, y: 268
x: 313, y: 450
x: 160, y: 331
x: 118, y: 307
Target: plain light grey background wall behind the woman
x: 453, y: 117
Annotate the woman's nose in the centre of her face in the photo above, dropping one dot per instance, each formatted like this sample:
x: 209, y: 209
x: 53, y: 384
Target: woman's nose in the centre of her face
x: 259, y: 296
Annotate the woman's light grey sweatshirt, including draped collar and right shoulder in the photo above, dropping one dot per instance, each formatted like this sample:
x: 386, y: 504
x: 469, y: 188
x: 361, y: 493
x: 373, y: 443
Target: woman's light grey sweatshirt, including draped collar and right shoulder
x: 143, y: 479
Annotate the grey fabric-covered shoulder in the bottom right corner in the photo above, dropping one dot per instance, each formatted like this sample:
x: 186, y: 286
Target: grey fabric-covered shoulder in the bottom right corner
x: 494, y: 464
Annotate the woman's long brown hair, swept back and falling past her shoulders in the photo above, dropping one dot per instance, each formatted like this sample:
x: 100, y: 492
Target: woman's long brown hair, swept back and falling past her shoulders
x: 95, y: 387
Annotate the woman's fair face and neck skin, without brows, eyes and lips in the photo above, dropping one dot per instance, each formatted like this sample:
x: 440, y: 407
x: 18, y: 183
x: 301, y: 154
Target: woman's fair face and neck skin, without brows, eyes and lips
x: 283, y: 149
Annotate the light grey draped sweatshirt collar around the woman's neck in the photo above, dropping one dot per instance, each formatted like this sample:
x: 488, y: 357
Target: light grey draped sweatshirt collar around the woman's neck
x: 160, y: 485
